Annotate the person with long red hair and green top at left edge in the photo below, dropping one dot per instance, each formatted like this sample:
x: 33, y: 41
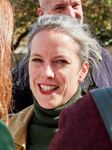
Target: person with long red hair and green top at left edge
x: 6, y: 30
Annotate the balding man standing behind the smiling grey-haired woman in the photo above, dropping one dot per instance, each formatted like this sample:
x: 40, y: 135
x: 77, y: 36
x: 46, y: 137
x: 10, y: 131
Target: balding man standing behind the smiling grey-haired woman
x: 101, y: 77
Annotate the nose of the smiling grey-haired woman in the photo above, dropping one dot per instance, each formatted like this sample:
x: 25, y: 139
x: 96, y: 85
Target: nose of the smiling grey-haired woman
x: 47, y: 72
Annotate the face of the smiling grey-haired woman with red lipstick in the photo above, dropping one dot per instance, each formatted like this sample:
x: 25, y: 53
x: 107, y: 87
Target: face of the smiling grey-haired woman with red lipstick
x: 54, y: 68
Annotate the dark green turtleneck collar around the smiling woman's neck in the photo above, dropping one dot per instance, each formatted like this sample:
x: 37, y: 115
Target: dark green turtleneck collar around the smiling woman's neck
x: 50, y: 117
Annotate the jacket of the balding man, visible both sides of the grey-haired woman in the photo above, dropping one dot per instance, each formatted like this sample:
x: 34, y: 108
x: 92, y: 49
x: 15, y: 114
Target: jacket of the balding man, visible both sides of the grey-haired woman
x: 101, y: 77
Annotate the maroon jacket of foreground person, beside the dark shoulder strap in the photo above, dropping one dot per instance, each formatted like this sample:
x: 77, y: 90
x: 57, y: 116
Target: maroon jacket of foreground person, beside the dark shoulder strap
x: 81, y: 128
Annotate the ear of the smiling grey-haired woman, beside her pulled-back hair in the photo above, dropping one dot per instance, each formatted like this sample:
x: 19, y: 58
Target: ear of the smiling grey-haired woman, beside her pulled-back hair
x: 83, y: 72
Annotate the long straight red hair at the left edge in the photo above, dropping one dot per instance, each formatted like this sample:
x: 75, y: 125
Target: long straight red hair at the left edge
x: 6, y: 30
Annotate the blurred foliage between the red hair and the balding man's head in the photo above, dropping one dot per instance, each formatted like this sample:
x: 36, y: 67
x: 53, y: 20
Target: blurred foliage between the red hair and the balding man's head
x: 25, y: 12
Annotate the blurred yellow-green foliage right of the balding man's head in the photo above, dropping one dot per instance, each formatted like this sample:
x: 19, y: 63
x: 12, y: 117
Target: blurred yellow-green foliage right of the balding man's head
x: 98, y: 13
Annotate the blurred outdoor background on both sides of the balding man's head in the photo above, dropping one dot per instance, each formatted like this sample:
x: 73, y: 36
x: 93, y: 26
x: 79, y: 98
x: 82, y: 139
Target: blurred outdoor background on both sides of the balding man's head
x: 97, y: 13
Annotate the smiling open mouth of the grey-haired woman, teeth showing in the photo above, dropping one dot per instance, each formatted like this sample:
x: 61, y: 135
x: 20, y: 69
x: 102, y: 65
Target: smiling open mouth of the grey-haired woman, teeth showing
x: 46, y: 88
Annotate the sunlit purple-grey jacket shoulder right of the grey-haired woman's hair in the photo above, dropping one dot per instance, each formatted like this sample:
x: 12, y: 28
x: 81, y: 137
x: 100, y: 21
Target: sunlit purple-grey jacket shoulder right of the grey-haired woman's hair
x: 103, y: 75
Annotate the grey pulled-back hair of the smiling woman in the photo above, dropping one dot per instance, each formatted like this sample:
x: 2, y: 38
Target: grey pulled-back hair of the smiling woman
x: 88, y: 47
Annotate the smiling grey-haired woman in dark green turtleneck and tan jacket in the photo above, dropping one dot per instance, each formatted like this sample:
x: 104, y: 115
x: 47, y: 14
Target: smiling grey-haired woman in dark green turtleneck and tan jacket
x: 59, y: 54
